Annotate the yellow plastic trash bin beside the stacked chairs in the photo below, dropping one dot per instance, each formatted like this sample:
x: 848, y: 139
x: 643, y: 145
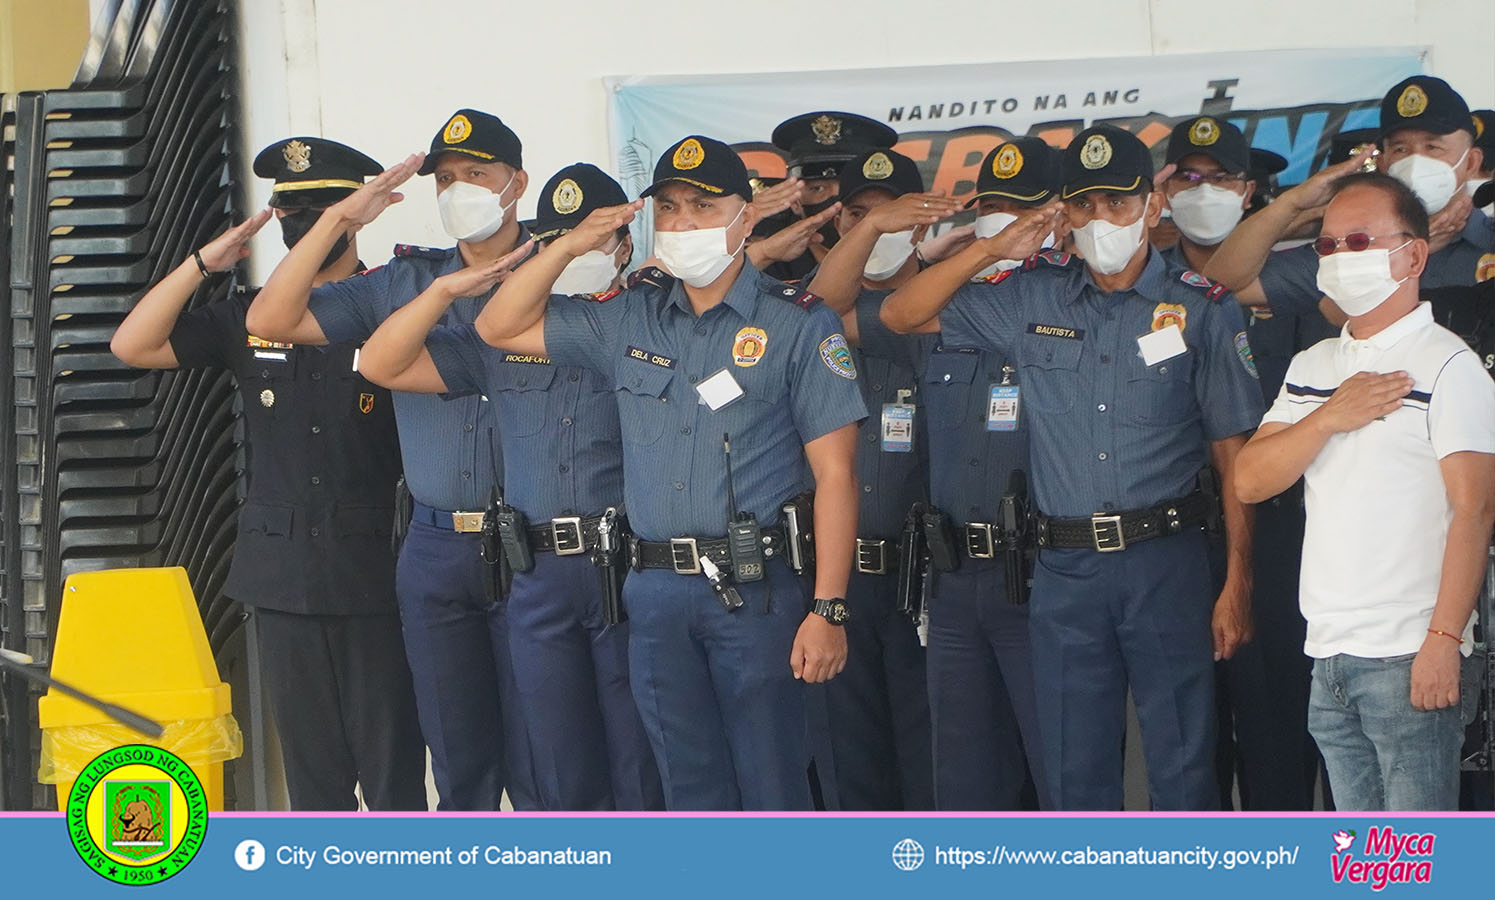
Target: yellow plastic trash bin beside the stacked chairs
x: 135, y: 638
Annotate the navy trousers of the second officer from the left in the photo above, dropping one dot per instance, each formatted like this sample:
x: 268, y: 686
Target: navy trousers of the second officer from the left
x: 458, y: 650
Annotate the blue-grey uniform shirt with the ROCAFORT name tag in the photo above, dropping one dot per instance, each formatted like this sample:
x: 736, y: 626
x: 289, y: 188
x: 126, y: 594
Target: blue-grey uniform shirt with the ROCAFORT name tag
x: 557, y: 425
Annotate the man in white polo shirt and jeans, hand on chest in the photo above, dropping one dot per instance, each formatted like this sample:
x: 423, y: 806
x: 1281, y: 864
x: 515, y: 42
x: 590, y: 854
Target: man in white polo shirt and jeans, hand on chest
x: 1393, y: 425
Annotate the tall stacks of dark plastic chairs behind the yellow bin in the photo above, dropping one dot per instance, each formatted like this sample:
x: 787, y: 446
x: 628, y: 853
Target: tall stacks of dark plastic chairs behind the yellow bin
x: 116, y: 182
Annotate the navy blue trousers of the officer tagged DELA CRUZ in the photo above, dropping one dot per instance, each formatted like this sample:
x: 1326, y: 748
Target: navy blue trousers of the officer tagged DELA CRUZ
x: 724, y: 712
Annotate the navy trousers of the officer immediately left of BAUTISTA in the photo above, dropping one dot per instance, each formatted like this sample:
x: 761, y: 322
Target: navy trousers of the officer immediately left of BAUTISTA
x: 983, y: 699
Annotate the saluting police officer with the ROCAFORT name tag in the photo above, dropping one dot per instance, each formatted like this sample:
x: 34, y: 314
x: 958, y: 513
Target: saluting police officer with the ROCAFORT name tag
x: 560, y: 434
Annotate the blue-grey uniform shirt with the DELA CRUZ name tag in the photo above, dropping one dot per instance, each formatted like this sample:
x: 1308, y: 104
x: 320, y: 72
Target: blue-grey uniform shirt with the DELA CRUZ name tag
x: 778, y: 345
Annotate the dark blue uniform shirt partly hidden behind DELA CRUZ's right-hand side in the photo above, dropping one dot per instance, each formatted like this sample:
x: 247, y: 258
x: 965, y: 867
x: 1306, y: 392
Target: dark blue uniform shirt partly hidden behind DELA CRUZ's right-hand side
x: 890, y: 482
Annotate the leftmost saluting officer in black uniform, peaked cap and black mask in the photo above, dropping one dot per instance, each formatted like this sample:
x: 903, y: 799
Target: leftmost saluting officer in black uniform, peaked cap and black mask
x: 313, y: 557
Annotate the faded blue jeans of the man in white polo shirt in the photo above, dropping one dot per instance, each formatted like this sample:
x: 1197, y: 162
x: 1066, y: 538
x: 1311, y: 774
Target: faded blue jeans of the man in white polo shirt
x: 1379, y: 751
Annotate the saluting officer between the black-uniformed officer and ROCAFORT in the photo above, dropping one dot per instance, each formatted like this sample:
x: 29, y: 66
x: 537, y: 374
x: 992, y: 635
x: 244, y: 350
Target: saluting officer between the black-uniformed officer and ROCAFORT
x: 457, y: 635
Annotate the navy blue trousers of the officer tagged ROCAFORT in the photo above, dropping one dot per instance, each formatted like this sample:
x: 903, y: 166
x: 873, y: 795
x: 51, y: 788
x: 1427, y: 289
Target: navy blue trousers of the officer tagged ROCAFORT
x: 588, y: 744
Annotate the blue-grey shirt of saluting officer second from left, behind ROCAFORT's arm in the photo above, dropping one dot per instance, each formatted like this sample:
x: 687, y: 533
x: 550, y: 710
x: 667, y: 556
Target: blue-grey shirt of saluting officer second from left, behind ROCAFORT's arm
x: 449, y: 458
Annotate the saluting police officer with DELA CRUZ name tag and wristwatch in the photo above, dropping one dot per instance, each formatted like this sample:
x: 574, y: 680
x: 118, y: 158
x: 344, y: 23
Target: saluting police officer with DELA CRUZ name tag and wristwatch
x: 711, y: 357
